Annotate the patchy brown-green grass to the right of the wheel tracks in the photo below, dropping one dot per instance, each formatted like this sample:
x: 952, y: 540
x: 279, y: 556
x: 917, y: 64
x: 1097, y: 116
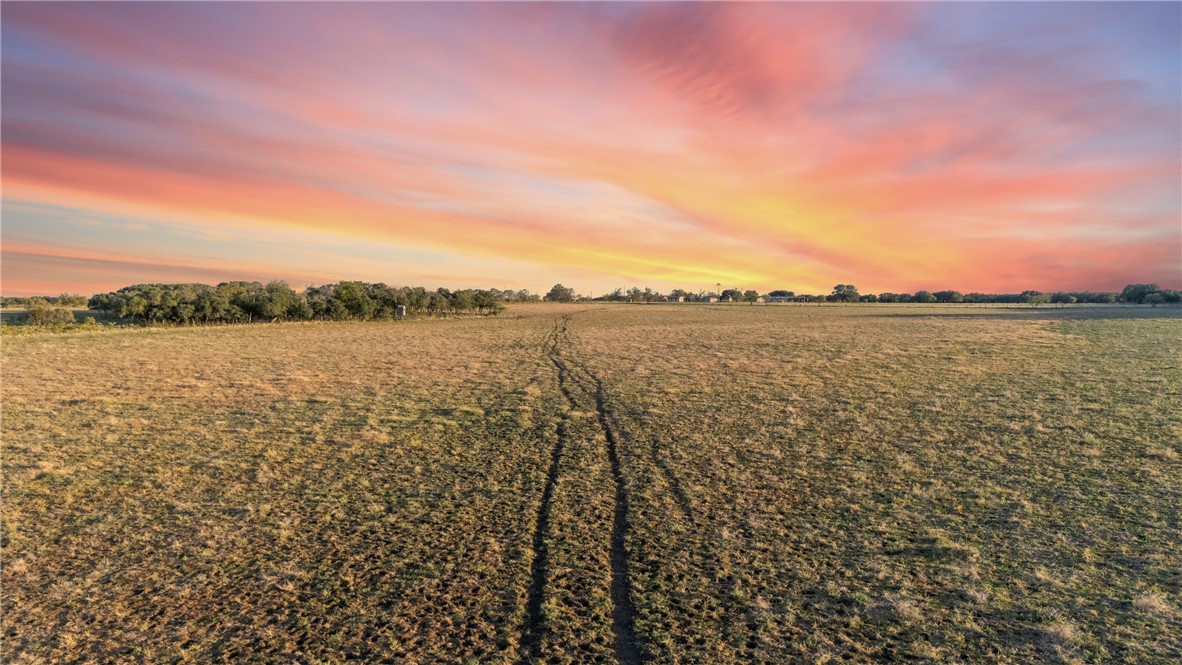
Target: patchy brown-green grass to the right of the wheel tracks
x: 868, y: 484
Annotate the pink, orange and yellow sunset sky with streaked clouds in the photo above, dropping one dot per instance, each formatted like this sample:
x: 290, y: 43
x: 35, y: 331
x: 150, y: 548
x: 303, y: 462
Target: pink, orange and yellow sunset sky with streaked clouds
x: 899, y: 147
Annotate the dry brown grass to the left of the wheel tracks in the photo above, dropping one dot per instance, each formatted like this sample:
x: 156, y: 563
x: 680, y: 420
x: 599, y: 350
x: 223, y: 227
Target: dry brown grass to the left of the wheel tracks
x: 313, y: 492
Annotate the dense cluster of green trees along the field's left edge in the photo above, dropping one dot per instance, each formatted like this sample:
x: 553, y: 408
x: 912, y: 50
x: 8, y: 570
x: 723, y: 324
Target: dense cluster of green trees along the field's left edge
x: 241, y: 302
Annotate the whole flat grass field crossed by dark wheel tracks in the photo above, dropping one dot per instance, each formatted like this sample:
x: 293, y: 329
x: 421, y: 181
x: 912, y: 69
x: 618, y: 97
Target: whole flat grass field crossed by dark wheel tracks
x: 601, y: 484
